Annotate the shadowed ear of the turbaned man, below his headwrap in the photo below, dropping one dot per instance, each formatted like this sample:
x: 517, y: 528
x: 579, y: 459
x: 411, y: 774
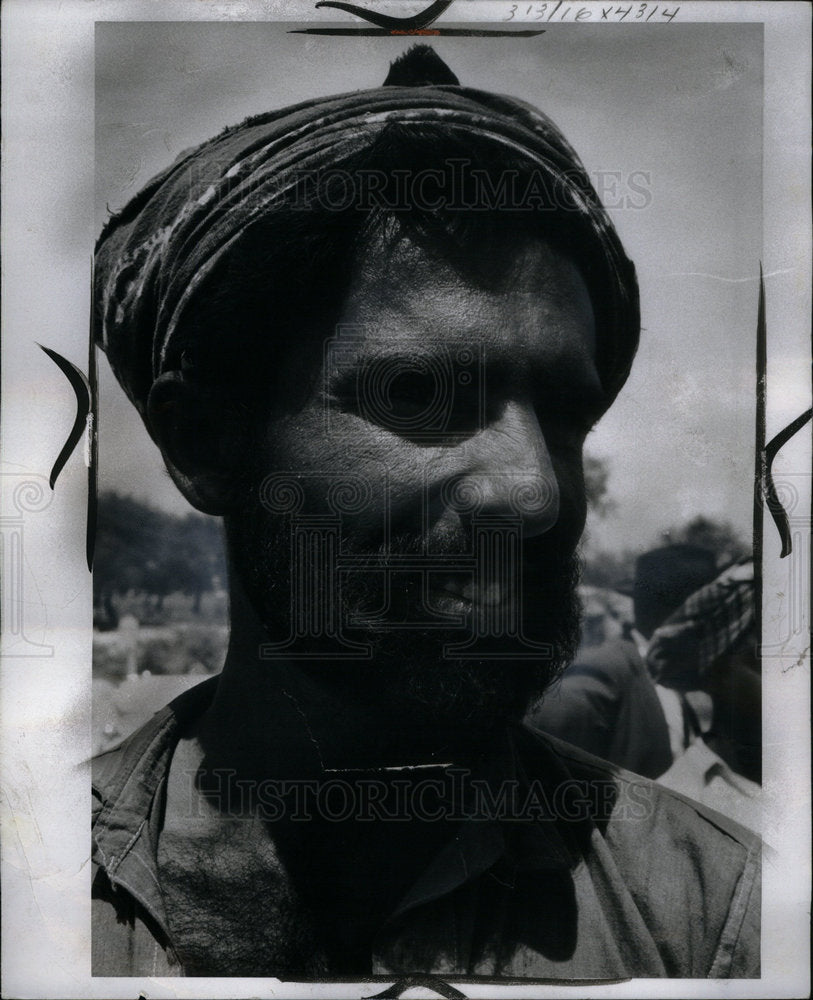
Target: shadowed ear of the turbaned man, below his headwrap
x: 202, y: 440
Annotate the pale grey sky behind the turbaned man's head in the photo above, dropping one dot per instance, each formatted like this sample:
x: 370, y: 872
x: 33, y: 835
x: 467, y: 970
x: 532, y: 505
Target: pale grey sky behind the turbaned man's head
x: 668, y: 124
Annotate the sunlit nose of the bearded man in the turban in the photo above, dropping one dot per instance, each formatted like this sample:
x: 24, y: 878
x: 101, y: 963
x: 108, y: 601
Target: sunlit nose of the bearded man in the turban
x: 509, y: 472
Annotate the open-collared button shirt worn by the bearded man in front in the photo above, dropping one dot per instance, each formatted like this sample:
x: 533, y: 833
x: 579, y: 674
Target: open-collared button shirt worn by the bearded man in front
x: 600, y: 874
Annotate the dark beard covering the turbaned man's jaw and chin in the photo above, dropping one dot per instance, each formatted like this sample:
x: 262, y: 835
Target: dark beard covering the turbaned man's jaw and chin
x: 414, y: 673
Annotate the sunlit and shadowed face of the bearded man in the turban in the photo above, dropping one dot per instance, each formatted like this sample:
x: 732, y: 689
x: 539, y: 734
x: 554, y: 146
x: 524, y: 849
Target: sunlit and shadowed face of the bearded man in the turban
x: 438, y: 437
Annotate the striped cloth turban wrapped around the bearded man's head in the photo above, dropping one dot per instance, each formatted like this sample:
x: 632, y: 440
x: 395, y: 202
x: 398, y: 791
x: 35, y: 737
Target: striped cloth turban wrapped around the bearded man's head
x: 155, y: 257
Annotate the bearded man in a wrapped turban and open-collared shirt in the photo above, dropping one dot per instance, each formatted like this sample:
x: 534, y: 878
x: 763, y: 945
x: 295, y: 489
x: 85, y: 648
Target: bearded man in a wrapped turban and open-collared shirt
x: 372, y: 332
